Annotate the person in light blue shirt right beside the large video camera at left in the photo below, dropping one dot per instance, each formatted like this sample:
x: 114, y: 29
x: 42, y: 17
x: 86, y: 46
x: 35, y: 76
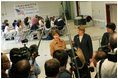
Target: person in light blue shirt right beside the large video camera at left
x: 34, y: 54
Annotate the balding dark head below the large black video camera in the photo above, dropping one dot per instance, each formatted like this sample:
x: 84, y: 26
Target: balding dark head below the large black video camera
x: 21, y: 69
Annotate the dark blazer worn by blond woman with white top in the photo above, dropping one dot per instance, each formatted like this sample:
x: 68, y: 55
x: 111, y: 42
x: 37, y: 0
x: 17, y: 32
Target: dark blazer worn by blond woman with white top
x: 85, y: 45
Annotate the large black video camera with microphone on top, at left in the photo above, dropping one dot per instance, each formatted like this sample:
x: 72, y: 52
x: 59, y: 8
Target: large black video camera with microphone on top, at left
x: 17, y: 54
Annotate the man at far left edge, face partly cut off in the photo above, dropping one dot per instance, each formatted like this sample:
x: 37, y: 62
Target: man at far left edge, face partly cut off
x: 5, y: 64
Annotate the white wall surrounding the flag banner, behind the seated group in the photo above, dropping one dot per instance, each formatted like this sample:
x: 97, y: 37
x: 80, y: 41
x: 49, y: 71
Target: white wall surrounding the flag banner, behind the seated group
x: 49, y: 8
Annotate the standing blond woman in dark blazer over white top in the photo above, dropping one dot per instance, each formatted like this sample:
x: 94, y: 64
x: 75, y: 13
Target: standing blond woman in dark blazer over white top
x: 83, y: 41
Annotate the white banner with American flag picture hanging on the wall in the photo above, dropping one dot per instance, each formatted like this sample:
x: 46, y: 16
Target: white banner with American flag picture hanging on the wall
x: 26, y: 9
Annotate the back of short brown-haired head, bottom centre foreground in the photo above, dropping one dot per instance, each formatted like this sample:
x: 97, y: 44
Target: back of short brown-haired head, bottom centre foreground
x: 52, y: 68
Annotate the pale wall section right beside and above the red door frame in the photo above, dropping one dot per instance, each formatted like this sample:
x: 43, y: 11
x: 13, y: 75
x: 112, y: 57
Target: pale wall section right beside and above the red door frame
x: 99, y: 12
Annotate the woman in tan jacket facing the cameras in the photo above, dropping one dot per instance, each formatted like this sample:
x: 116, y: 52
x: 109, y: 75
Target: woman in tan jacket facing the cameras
x: 57, y: 43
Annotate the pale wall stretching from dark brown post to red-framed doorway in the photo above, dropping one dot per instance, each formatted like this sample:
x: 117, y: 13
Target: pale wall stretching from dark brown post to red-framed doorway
x: 96, y: 9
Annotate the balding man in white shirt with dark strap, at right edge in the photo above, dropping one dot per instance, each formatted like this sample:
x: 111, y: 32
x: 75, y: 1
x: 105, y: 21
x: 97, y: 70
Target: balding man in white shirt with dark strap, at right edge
x: 108, y: 68
